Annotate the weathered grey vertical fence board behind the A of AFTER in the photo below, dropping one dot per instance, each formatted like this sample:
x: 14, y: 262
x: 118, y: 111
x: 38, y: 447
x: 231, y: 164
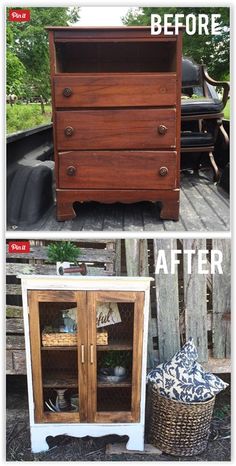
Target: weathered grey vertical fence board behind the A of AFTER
x: 167, y: 301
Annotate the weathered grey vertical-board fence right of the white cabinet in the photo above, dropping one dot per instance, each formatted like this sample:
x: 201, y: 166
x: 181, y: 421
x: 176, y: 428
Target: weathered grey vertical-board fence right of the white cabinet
x: 184, y: 305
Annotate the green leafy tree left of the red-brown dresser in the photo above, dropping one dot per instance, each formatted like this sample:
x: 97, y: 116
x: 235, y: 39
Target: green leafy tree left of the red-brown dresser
x: 28, y: 50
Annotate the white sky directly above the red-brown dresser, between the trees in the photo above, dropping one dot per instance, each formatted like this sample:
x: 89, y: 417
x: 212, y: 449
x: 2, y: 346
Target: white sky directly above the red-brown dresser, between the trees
x: 102, y: 15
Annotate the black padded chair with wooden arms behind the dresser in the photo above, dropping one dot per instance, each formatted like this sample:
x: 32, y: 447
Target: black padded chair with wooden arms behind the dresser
x: 201, y: 112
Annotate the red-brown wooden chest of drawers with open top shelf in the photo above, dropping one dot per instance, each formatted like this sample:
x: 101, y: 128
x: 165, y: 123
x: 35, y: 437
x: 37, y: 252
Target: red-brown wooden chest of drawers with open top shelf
x: 116, y: 114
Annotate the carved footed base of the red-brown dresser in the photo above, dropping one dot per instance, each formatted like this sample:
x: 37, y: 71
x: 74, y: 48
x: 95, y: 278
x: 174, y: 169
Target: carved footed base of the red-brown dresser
x: 66, y: 199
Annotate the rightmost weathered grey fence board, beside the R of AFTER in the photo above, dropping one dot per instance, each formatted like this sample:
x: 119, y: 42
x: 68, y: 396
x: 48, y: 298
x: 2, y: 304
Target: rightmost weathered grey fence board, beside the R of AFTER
x: 222, y: 302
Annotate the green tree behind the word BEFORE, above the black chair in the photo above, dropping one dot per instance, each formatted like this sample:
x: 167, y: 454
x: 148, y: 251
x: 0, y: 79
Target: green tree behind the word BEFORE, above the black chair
x: 212, y: 49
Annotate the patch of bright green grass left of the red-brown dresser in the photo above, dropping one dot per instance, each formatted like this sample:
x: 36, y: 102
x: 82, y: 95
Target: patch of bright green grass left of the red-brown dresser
x: 22, y: 116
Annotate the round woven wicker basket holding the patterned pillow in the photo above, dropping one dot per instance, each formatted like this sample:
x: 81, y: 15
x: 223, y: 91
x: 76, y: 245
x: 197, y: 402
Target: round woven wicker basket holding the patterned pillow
x: 177, y: 428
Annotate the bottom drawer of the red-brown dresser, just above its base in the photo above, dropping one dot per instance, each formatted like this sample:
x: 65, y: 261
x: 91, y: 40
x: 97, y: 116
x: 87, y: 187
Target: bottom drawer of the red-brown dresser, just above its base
x: 118, y: 170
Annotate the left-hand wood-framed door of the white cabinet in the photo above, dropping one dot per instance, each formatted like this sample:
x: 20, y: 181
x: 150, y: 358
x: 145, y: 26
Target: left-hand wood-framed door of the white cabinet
x: 58, y: 346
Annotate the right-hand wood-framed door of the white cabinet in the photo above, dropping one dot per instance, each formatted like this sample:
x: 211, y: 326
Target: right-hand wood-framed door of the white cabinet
x: 115, y: 356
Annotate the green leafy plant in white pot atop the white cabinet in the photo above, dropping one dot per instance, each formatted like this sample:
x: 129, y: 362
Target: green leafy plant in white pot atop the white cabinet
x: 65, y: 254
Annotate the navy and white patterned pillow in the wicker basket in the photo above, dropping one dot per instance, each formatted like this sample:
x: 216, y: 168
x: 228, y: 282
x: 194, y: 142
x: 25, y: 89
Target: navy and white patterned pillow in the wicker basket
x: 184, y: 379
